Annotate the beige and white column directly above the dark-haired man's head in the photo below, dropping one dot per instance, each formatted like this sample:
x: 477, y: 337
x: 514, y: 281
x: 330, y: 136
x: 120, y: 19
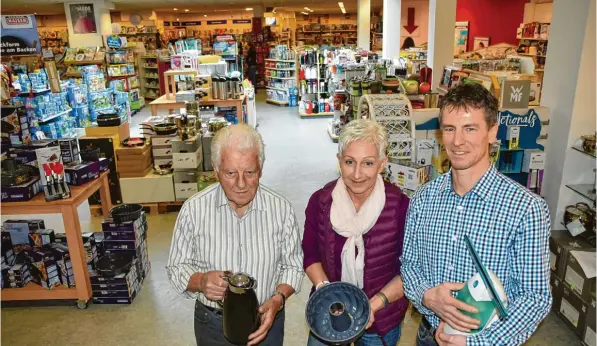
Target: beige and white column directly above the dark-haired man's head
x: 440, y: 51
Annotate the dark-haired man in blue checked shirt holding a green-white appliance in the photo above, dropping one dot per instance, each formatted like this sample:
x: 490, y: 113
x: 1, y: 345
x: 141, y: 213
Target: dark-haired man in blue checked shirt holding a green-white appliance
x: 508, y: 225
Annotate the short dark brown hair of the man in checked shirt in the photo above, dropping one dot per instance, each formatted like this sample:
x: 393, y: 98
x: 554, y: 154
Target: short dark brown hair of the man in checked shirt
x: 471, y: 96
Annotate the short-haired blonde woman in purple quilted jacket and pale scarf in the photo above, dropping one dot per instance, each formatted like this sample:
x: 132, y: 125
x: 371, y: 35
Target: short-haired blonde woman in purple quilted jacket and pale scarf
x: 354, y: 231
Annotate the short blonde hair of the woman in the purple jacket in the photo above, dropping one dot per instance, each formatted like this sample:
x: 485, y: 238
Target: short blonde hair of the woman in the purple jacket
x: 364, y: 130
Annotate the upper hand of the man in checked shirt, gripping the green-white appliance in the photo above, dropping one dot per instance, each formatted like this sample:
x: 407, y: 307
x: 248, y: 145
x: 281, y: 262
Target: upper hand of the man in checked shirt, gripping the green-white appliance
x: 439, y: 299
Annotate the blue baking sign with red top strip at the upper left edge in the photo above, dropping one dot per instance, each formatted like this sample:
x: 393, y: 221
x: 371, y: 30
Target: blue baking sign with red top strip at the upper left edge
x: 19, y: 35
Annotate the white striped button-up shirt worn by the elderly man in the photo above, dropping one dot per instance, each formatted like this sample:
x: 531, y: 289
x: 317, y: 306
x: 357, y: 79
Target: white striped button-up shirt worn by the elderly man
x: 264, y: 242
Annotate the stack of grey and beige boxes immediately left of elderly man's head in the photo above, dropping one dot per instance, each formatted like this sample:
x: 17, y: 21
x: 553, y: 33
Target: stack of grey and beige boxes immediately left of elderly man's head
x: 188, y: 165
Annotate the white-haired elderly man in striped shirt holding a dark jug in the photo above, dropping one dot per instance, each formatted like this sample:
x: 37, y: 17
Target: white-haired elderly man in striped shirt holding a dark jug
x: 237, y: 225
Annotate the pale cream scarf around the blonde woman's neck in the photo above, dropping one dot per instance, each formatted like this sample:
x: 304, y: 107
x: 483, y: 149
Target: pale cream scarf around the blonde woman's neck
x: 352, y: 225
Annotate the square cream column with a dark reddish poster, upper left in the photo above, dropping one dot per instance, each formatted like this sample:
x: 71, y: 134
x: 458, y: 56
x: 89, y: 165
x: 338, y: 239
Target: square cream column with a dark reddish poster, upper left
x: 77, y: 21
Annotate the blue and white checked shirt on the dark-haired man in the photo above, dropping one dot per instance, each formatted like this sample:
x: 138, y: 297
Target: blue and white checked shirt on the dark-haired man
x: 509, y: 227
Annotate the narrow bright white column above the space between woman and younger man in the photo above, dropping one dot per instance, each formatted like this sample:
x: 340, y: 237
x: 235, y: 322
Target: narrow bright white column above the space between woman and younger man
x: 391, y: 28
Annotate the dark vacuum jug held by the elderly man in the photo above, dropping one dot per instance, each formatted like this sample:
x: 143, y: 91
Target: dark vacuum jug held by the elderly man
x: 240, y: 316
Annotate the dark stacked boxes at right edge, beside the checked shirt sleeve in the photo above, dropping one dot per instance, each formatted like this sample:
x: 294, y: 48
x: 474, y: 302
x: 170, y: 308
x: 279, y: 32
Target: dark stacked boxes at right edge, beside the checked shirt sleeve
x: 573, y: 289
